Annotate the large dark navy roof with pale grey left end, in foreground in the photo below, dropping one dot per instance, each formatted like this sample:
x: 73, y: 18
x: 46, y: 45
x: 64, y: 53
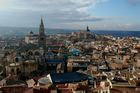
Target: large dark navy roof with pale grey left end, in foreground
x: 63, y: 78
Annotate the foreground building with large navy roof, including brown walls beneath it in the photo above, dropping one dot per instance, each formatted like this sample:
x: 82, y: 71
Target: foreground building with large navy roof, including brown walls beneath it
x: 63, y: 83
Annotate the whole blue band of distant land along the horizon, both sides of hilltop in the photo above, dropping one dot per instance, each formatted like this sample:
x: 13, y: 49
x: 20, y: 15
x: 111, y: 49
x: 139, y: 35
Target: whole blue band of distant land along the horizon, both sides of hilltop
x: 22, y: 31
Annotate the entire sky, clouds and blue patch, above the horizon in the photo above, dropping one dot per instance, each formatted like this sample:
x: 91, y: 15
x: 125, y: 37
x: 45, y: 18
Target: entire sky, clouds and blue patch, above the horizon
x: 72, y: 14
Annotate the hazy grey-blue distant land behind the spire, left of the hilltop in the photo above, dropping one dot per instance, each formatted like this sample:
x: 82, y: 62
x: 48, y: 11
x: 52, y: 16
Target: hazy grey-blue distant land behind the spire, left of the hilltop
x: 22, y: 31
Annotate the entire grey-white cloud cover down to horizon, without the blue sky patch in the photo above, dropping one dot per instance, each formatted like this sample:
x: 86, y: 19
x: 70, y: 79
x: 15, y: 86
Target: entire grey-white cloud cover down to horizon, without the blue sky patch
x: 59, y: 14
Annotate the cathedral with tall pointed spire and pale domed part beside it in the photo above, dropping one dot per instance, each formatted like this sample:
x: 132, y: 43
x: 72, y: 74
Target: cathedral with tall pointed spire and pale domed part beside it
x: 39, y: 39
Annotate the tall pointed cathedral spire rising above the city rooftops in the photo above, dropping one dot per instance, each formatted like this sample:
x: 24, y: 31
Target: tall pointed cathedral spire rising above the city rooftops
x: 42, y: 36
